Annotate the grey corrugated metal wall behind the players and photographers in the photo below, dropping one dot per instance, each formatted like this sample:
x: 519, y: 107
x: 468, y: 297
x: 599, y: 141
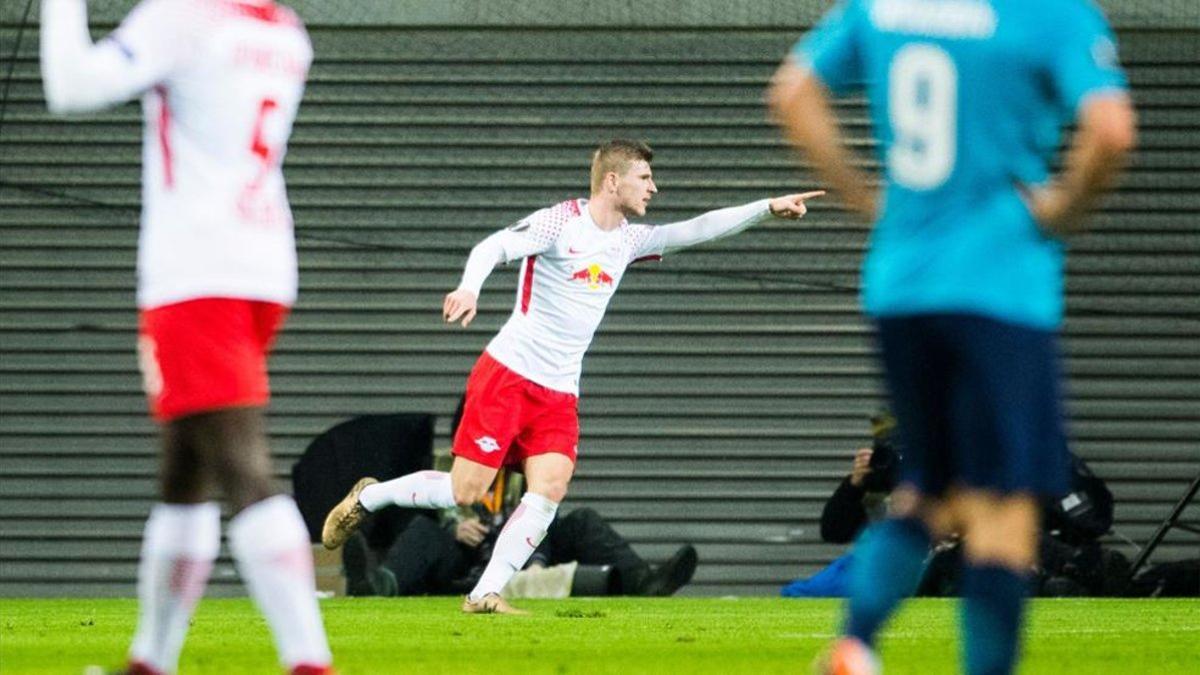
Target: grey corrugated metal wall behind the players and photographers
x: 728, y: 387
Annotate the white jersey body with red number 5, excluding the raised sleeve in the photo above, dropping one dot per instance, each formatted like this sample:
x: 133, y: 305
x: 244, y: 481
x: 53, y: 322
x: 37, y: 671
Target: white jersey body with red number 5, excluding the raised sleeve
x: 215, y: 218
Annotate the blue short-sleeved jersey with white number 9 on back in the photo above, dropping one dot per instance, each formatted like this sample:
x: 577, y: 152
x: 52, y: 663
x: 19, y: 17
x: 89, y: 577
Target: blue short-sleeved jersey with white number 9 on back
x: 967, y: 99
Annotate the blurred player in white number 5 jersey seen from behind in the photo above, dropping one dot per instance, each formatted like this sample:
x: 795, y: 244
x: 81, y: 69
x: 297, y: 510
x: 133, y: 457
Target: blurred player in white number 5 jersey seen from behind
x: 220, y: 83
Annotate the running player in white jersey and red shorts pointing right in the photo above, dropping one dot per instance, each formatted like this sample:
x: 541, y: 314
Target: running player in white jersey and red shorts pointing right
x: 523, y: 395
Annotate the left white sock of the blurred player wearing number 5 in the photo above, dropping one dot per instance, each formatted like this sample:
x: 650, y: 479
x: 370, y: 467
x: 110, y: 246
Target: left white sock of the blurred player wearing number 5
x: 181, y: 543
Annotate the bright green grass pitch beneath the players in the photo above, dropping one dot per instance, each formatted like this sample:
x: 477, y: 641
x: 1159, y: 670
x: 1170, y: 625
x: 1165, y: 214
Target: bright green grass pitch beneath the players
x: 619, y: 636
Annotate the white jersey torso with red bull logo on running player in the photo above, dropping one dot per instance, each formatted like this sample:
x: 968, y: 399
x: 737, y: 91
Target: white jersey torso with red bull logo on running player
x: 571, y: 271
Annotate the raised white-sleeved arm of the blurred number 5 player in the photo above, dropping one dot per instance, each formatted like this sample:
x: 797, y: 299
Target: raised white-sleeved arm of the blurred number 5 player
x: 80, y: 76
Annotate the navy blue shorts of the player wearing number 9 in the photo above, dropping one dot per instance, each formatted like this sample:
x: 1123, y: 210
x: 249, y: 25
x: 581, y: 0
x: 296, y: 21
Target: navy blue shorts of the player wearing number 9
x: 977, y: 402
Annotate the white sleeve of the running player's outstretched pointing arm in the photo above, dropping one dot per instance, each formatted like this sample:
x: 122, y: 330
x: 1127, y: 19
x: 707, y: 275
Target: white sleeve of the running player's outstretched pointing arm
x: 652, y: 242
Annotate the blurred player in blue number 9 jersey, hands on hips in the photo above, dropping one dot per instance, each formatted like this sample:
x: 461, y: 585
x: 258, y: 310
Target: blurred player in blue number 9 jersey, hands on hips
x: 964, y: 276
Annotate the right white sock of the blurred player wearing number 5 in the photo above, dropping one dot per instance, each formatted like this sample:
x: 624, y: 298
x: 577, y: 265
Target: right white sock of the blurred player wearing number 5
x: 271, y: 543
